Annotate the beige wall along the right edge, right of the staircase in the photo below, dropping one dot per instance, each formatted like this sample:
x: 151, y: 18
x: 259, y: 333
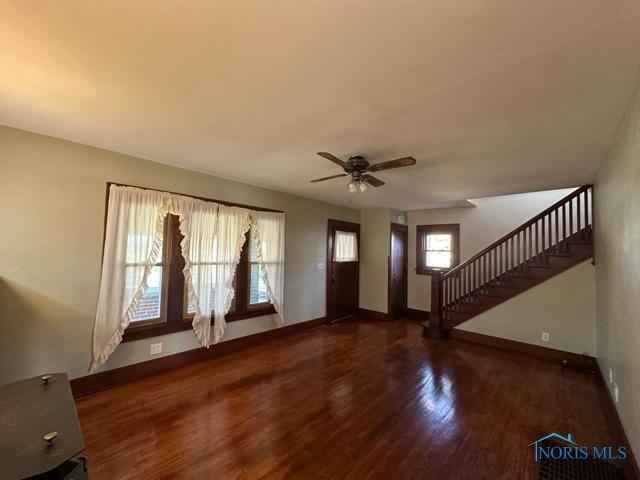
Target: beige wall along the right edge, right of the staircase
x: 617, y: 228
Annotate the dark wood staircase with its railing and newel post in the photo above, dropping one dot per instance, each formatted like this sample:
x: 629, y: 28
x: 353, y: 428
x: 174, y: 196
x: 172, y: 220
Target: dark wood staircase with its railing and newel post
x: 548, y: 244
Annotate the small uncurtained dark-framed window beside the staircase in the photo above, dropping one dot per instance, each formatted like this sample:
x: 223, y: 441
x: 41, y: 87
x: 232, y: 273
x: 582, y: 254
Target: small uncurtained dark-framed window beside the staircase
x: 437, y: 247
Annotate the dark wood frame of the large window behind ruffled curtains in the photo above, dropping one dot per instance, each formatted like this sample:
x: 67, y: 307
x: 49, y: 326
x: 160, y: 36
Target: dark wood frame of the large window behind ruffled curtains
x: 173, y: 318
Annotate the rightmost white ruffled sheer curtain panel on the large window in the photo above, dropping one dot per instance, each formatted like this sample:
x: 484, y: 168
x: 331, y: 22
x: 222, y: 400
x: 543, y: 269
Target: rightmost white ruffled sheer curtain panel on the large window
x: 270, y: 229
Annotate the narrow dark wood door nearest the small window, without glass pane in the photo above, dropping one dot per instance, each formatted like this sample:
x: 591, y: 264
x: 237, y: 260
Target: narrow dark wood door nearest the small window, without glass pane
x: 398, y: 267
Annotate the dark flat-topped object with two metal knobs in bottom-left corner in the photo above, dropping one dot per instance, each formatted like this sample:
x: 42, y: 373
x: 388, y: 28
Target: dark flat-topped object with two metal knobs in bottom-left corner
x: 41, y: 434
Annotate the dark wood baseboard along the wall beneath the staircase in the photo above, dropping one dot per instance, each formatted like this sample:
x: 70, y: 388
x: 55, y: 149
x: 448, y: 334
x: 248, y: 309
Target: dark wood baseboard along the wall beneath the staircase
x: 574, y: 360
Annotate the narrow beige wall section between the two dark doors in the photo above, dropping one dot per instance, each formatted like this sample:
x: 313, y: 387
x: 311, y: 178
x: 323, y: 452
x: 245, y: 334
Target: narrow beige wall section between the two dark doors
x: 375, y: 238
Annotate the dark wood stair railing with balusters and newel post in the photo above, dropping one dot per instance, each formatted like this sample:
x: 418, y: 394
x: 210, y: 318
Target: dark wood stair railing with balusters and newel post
x: 511, y: 253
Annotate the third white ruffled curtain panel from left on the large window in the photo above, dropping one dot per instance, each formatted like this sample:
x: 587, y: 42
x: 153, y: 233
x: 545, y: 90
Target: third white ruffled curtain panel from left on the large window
x: 233, y: 224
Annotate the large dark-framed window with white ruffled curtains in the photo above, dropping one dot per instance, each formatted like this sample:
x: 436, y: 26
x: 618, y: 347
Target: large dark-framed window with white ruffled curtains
x: 147, y: 264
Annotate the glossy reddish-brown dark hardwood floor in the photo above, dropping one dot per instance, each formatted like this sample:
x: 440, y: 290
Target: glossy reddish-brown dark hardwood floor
x: 353, y: 400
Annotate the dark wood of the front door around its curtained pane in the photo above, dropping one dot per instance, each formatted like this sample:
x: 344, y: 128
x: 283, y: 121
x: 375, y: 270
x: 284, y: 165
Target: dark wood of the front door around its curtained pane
x: 342, y: 276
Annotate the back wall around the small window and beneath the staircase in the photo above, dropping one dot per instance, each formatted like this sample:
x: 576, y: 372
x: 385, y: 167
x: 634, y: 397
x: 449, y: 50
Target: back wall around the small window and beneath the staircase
x: 568, y: 318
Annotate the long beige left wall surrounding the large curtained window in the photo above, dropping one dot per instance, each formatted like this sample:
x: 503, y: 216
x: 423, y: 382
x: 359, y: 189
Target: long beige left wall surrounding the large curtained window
x: 52, y: 200
